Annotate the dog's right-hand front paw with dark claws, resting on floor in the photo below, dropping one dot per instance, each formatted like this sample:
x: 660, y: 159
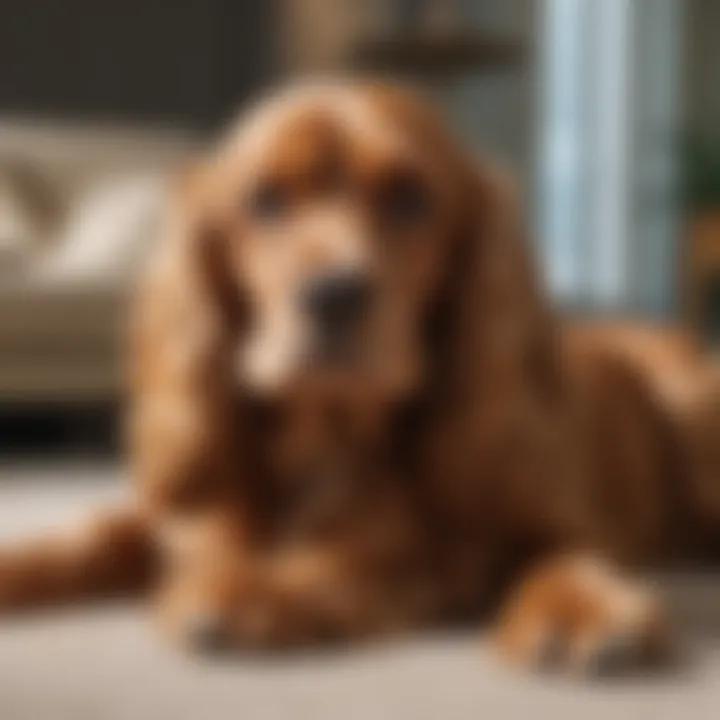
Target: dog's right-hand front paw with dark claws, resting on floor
x: 576, y: 613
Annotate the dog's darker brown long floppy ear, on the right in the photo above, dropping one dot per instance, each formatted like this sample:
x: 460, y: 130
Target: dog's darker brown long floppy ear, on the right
x: 498, y: 372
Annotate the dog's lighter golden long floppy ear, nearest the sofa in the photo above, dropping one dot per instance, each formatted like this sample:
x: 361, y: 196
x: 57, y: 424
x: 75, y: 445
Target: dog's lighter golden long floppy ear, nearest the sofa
x: 185, y: 321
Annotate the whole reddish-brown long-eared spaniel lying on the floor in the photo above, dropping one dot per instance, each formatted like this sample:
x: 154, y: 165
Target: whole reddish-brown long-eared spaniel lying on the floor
x: 354, y: 412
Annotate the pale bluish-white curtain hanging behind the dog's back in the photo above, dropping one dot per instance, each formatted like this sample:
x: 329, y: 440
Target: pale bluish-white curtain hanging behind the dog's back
x: 607, y: 182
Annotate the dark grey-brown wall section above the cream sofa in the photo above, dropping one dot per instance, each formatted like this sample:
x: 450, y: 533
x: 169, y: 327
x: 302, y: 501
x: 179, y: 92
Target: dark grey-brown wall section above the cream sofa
x: 187, y: 62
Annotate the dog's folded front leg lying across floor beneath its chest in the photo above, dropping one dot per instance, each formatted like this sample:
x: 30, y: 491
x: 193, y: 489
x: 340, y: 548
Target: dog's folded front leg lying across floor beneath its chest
x: 221, y: 597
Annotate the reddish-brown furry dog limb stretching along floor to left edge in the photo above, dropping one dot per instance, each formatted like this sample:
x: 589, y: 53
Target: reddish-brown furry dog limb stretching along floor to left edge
x: 110, y: 556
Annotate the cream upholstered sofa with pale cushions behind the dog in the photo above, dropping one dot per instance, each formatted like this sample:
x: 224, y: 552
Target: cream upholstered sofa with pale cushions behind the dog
x: 79, y: 209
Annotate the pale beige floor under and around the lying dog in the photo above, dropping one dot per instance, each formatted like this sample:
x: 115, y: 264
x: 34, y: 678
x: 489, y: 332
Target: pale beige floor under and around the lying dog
x: 106, y: 663
